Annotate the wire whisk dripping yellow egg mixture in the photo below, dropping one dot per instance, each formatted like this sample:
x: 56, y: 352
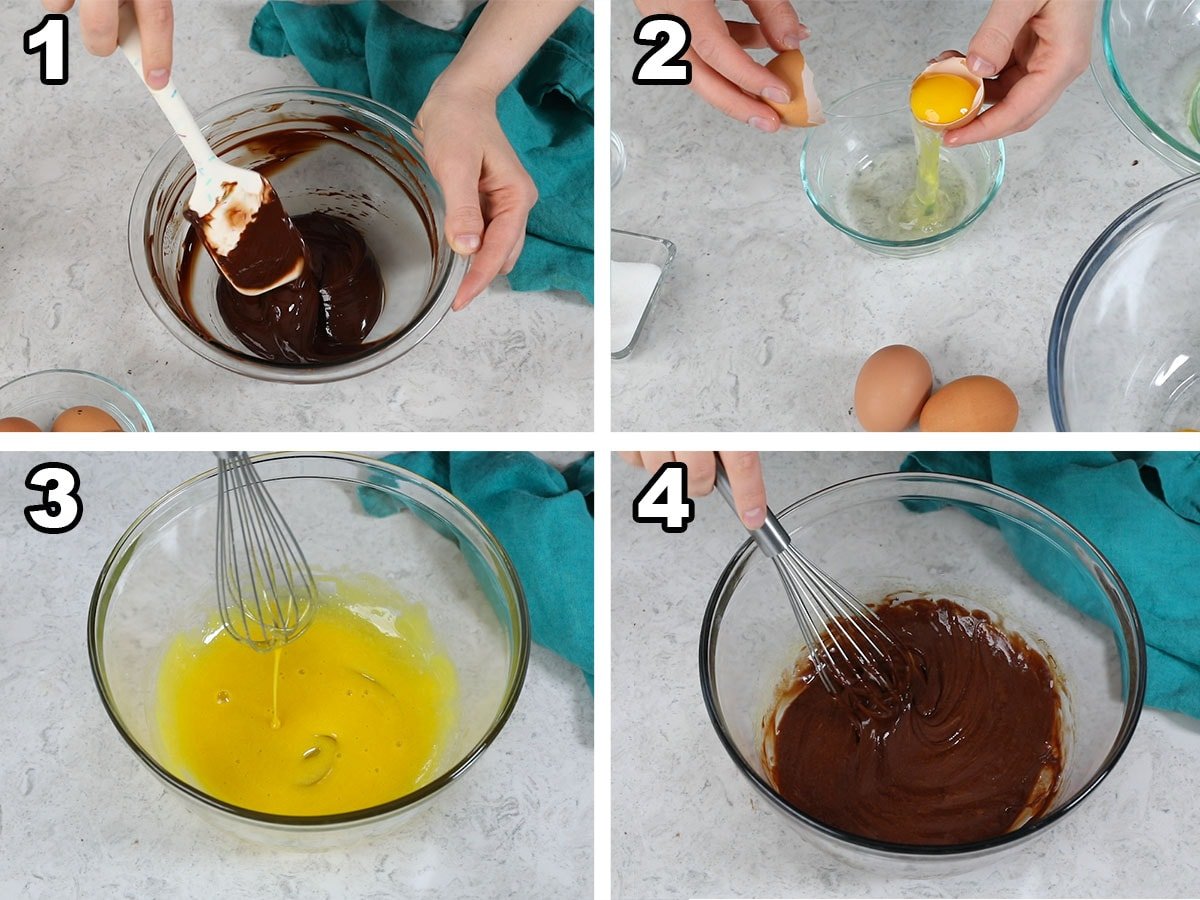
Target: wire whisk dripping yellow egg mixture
x: 266, y: 590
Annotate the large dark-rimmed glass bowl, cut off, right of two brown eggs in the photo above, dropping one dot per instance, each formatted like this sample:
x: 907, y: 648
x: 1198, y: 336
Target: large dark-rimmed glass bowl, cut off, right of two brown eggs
x: 1125, y: 344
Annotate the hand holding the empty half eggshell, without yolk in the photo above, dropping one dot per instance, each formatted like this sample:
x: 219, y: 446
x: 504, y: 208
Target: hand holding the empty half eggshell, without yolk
x: 722, y: 71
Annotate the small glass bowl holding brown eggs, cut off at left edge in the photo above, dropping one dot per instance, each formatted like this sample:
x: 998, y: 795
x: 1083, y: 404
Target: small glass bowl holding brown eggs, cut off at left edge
x: 41, y: 397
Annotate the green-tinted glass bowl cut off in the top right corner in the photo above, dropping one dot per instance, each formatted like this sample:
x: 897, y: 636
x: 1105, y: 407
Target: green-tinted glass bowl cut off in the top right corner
x: 1148, y: 64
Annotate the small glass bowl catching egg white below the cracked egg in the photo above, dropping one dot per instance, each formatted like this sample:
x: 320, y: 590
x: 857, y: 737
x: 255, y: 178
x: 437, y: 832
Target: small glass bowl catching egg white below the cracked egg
x: 868, y: 146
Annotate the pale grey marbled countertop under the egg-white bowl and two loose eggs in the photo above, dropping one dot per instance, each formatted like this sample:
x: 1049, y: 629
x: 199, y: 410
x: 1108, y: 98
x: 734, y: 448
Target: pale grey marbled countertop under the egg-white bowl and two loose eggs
x: 770, y: 313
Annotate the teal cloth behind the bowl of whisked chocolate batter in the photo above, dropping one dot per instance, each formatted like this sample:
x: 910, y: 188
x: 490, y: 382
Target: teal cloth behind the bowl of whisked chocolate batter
x: 1143, y: 513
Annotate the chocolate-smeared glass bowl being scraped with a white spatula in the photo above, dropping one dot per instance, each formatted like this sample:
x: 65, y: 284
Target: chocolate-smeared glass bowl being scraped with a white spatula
x: 364, y: 165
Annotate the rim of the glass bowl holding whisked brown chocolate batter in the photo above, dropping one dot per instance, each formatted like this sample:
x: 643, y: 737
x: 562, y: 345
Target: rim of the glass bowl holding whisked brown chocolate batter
x: 1133, y: 706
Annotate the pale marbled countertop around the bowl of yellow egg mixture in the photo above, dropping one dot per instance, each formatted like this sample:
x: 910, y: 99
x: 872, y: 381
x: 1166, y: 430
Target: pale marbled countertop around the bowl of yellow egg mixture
x: 81, y: 817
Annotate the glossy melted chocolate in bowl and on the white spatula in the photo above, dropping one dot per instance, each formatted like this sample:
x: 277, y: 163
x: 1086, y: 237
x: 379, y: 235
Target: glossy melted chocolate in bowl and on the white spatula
x: 325, y: 316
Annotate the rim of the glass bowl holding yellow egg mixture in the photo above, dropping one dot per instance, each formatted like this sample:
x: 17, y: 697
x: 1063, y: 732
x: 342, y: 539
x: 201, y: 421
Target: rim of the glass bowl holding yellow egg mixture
x: 519, y: 667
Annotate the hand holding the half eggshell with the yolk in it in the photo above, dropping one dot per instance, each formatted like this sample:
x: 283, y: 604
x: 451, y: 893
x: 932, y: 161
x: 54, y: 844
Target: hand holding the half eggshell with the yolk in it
x: 1035, y: 49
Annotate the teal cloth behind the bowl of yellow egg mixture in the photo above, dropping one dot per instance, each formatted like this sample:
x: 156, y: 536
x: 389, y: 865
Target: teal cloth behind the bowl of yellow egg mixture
x: 543, y: 520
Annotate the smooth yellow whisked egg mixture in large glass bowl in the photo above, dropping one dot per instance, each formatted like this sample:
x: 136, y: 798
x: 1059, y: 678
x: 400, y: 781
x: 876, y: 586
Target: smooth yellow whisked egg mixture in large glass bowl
x: 353, y: 713
